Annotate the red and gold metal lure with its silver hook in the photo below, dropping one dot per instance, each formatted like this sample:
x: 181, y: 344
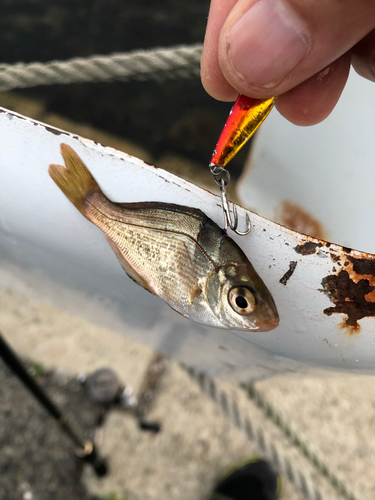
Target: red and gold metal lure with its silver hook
x: 244, y: 119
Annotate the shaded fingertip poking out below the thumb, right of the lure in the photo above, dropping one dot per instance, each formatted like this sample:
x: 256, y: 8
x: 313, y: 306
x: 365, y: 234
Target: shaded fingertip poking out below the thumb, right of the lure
x: 313, y: 100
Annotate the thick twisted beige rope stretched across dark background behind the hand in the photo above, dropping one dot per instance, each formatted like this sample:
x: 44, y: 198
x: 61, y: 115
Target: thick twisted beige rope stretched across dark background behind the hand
x: 157, y: 64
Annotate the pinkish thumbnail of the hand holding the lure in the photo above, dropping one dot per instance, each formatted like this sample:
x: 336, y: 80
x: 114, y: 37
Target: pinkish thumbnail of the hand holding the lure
x: 266, y: 44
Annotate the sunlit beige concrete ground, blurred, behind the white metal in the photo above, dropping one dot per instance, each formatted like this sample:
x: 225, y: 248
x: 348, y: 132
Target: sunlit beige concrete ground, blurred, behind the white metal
x: 333, y: 413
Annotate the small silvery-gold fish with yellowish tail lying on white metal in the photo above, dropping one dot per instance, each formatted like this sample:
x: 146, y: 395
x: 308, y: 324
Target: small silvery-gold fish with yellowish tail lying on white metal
x: 175, y: 252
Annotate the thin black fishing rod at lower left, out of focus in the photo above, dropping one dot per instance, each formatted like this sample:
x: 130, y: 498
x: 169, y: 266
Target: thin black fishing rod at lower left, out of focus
x: 84, y: 449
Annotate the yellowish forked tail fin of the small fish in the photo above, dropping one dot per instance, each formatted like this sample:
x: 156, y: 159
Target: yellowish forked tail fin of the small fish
x: 74, y: 180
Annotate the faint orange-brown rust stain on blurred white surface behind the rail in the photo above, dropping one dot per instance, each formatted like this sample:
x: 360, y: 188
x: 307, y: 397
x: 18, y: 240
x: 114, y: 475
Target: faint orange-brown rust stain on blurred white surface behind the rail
x: 296, y: 218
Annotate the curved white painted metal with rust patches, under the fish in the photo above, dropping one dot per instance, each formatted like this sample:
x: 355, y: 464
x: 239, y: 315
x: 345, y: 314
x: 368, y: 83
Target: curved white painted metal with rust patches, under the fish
x: 324, y: 292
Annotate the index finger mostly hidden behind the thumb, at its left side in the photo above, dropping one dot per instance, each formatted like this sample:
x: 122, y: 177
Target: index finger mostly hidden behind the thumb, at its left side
x: 212, y: 77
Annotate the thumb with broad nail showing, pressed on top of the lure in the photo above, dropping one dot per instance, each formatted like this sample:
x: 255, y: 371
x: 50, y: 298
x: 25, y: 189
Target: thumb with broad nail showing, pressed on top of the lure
x: 267, y: 47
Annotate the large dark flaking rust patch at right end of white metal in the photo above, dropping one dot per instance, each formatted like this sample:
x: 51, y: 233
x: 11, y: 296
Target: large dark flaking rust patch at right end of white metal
x: 352, y: 289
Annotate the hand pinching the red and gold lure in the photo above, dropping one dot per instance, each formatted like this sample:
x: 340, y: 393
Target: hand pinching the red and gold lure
x: 300, y: 50
